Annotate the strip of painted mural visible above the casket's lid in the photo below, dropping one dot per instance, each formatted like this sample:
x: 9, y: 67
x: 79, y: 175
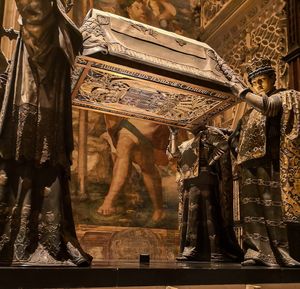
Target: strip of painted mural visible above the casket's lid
x: 172, y: 15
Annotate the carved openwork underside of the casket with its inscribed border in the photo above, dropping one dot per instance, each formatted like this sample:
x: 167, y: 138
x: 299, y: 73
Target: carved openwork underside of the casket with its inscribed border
x: 94, y: 89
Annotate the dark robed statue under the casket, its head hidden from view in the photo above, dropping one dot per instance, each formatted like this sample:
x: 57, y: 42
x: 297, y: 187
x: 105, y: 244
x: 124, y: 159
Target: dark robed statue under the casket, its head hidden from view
x: 206, y: 200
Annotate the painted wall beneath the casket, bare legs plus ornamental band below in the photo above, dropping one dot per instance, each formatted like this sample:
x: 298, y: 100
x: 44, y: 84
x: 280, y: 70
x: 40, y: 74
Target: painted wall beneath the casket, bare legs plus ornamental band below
x: 130, y: 200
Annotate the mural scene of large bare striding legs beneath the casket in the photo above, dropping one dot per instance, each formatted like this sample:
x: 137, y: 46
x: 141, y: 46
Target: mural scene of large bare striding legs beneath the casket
x: 129, y: 179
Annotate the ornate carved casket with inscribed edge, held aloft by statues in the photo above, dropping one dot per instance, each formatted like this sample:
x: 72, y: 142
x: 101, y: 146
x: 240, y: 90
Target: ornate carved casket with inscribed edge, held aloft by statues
x: 134, y: 70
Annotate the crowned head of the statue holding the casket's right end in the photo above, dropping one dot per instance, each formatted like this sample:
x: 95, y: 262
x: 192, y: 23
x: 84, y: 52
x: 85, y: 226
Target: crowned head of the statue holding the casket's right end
x: 261, y: 75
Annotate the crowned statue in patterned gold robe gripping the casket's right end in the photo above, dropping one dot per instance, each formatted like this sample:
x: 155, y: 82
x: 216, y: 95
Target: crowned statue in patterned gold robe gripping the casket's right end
x: 266, y: 145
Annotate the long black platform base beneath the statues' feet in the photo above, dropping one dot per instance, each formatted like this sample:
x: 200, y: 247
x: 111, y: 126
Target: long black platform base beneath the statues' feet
x: 121, y: 274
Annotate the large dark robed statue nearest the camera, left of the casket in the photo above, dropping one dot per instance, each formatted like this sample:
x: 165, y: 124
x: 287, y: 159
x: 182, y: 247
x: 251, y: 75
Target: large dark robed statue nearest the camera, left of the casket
x: 36, y: 222
